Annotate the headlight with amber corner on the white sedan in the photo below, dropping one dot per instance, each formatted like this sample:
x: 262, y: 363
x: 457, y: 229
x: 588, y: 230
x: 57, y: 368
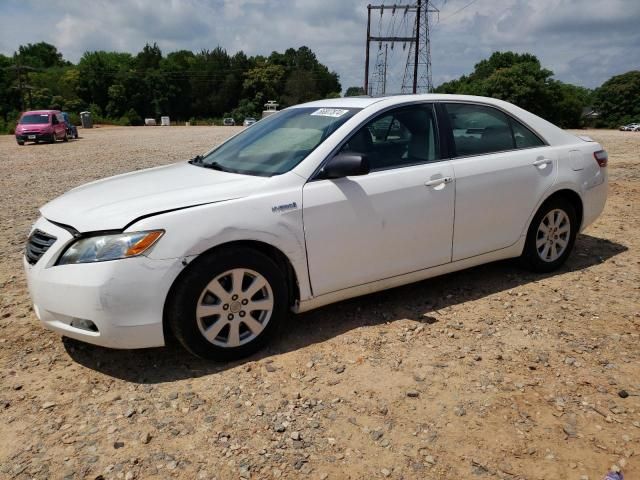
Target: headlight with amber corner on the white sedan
x: 109, y: 247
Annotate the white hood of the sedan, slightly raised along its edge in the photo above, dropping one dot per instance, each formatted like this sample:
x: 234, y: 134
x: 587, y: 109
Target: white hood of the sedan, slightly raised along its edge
x: 115, y: 202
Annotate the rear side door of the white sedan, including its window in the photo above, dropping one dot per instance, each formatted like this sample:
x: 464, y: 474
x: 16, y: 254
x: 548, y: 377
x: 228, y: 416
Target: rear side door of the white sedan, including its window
x: 502, y: 170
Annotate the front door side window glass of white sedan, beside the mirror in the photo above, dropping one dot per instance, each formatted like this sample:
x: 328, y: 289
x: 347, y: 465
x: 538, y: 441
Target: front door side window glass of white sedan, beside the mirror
x: 400, y: 137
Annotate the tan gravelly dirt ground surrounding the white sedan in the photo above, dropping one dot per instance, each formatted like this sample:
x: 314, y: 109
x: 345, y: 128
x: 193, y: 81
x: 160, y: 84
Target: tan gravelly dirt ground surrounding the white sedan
x: 487, y: 373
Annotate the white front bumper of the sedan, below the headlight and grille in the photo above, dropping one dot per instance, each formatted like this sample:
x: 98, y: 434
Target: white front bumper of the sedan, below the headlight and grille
x: 124, y: 299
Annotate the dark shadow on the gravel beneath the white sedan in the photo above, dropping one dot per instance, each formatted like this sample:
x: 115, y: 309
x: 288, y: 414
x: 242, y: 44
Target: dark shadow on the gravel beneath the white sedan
x: 414, y: 302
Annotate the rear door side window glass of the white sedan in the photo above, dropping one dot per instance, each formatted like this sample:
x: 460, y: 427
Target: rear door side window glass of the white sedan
x: 479, y: 129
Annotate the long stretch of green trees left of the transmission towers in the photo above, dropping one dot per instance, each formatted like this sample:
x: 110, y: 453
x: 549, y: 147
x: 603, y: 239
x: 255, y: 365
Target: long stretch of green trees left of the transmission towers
x: 123, y: 88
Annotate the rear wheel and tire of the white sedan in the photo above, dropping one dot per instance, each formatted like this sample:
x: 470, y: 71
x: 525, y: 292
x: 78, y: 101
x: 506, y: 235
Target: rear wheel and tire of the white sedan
x: 551, y: 236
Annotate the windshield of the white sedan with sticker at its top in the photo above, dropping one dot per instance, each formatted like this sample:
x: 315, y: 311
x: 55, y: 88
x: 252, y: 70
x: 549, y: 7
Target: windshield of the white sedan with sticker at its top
x: 277, y: 143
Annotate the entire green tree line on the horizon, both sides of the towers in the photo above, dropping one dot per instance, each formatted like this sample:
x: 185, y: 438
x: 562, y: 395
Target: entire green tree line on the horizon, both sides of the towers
x: 124, y: 89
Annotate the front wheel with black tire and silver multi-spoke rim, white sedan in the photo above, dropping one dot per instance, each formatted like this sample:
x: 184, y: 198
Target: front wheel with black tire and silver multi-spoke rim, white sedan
x: 206, y: 299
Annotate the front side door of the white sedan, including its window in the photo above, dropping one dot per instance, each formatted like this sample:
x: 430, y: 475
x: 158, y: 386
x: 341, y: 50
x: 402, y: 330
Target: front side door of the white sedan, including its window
x: 396, y: 219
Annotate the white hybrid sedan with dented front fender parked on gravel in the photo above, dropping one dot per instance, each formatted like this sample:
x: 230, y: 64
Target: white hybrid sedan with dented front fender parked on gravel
x: 312, y: 205
